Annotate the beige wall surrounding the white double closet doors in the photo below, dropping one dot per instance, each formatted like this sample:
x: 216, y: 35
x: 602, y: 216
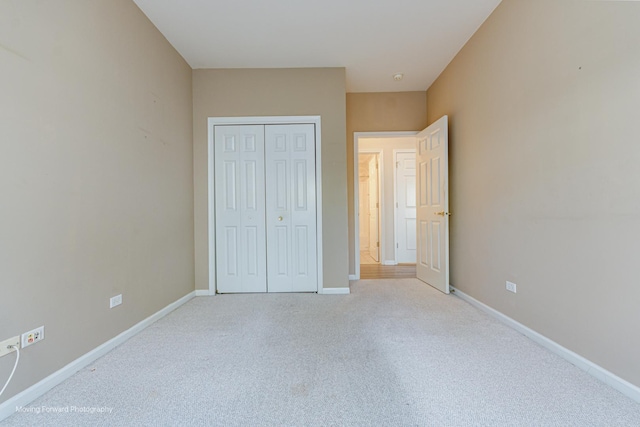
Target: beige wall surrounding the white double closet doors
x: 277, y: 92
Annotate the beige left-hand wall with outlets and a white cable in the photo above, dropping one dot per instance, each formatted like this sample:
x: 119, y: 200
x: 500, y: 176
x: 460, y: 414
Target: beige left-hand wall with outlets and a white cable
x: 96, y: 177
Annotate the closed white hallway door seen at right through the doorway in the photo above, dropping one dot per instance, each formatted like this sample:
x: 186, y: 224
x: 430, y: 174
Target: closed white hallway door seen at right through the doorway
x: 406, y: 207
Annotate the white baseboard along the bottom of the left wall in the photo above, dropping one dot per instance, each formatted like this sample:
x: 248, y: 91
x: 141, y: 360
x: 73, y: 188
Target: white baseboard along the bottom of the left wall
x: 27, y: 396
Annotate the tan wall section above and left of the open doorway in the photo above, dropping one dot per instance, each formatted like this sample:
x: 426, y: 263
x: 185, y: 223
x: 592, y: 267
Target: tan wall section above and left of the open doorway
x: 379, y: 112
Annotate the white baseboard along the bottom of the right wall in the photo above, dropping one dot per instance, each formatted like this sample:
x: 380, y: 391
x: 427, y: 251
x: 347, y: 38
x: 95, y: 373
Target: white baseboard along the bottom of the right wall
x: 586, y: 365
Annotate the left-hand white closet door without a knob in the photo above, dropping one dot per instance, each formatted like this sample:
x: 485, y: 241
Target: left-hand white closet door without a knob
x: 240, y: 209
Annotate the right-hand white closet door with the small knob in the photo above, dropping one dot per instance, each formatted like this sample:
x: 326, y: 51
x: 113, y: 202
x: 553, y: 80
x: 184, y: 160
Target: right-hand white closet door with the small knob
x: 291, y: 208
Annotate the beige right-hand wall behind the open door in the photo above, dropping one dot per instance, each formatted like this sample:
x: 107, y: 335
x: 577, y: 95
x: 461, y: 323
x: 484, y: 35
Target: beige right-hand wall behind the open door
x: 543, y: 104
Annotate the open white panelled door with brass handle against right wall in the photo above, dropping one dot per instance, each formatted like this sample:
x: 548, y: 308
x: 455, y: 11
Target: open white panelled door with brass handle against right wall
x: 433, y: 206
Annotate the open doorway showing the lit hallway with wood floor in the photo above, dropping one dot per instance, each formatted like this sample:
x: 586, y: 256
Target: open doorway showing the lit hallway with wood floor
x: 384, y: 208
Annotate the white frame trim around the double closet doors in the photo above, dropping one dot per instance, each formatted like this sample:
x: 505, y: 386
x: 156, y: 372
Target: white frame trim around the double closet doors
x: 261, y: 120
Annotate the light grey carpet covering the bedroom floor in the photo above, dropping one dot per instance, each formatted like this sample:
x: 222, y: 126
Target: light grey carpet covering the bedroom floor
x: 393, y: 353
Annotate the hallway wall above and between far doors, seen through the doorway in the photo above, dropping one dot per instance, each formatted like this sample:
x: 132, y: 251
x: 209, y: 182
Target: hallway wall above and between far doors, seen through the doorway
x: 387, y: 146
